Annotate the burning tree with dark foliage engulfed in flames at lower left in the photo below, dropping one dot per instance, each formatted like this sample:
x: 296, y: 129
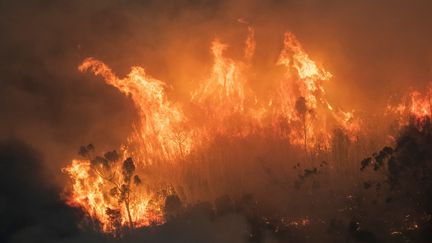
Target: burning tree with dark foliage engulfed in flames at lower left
x: 110, y: 191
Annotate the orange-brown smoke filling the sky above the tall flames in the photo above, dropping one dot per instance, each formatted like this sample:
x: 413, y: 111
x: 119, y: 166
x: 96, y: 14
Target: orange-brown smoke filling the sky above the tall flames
x: 370, y: 48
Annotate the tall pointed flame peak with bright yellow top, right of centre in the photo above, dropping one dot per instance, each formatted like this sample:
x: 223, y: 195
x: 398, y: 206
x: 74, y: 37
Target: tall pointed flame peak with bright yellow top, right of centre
x: 302, y: 98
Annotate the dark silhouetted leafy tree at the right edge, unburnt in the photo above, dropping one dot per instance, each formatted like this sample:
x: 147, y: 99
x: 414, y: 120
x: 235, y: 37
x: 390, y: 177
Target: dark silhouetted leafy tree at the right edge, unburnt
x: 408, y: 166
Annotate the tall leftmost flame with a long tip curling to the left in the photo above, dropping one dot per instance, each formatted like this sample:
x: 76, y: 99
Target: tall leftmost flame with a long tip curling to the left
x: 156, y: 132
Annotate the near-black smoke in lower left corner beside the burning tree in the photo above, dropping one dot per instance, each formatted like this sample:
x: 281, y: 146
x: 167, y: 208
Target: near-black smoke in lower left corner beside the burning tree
x: 30, y: 209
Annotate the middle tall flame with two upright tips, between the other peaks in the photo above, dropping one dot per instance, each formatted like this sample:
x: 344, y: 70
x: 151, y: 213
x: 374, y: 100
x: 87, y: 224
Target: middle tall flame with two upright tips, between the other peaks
x: 226, y: 93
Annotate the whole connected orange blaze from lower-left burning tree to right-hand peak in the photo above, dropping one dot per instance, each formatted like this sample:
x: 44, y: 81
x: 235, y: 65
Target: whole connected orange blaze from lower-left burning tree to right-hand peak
x: 228, y: 107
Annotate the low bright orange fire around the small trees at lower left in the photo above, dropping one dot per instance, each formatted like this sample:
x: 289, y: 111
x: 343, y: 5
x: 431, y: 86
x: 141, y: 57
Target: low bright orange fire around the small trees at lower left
x: 91, y: 191
